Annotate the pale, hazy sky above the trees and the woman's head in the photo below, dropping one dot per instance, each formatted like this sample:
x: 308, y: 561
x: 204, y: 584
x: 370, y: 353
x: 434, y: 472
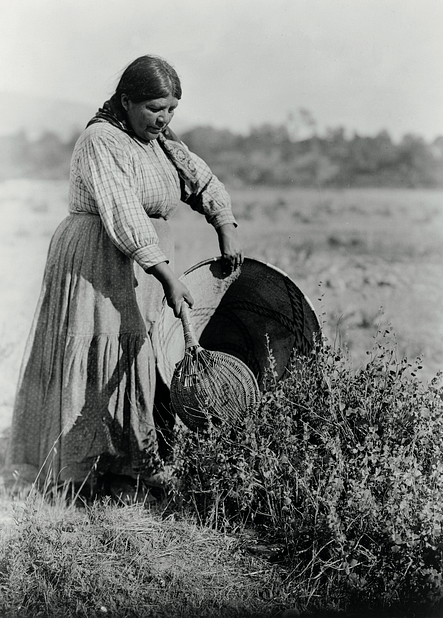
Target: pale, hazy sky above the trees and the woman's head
x: 366, y: 65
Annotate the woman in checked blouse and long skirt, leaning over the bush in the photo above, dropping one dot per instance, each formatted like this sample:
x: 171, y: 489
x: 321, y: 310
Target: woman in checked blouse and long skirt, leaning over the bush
x: 84, y: 406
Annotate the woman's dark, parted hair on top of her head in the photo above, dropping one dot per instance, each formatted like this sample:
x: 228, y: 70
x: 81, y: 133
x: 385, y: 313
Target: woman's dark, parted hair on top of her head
x: 148, y: 78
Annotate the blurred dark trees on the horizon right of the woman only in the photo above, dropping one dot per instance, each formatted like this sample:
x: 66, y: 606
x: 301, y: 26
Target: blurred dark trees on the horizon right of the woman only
x: 268, y: 155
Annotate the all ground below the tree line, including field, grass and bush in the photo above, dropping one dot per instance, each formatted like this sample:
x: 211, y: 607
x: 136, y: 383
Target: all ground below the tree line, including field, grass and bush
x: 359, y: 455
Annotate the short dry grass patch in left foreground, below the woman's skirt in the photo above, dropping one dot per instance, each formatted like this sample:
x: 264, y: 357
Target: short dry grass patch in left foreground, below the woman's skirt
x: 58, y: 560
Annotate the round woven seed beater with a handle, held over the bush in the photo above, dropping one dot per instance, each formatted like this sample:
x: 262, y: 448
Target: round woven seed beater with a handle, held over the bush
x: 210, y: 386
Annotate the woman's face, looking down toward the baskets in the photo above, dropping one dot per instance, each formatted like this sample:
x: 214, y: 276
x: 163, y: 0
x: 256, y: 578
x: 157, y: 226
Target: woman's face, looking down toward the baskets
x: 149, y: 118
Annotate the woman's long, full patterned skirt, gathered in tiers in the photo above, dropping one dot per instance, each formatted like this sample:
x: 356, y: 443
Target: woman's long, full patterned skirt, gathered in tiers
x: 84, y: 403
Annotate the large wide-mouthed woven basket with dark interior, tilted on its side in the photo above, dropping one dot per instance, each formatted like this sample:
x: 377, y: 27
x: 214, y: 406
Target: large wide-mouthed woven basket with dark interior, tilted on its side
x: 238, y: 314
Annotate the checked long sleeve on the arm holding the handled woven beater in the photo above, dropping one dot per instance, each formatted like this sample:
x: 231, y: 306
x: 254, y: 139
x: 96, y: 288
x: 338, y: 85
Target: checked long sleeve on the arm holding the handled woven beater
x: 109, y: 175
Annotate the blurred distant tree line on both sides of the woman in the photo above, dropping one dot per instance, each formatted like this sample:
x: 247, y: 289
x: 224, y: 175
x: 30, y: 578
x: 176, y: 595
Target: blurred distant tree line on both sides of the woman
x: 267, y: 155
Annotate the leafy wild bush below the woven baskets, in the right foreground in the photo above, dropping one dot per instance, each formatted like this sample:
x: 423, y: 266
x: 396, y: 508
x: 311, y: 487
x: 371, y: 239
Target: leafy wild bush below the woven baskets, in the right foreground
x: 343, y: 469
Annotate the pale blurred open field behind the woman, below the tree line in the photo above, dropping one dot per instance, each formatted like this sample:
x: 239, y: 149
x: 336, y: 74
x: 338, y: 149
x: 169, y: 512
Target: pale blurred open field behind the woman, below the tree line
x: 366, y: 258
